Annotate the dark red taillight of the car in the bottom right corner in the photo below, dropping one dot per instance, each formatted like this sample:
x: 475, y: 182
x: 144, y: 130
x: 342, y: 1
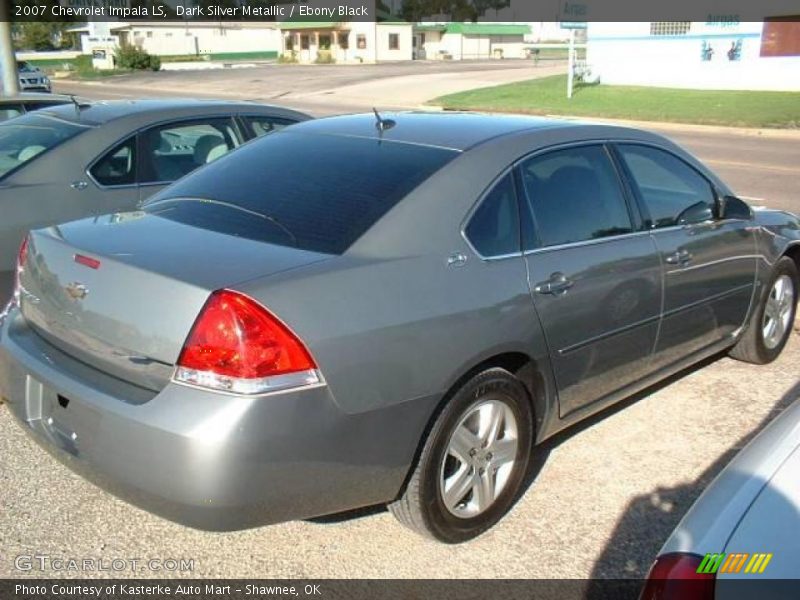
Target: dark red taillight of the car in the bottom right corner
x: 674, y: 576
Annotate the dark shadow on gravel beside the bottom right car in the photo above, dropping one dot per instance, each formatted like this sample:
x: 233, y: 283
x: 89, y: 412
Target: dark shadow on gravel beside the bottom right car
x: 650, y: 518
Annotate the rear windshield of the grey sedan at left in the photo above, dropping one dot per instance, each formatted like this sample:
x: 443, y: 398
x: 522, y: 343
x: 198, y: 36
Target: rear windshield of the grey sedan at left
x: 24, y: 138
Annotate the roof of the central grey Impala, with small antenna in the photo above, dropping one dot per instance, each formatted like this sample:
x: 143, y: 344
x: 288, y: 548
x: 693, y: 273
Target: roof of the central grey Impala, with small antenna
x: 458, y: 131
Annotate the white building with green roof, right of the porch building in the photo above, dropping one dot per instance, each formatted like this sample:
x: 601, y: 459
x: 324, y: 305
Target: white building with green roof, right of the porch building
x: 461, y: 41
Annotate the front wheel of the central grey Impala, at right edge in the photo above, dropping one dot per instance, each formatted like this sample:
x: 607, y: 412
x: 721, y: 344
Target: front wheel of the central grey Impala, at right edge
x: 773, y: 319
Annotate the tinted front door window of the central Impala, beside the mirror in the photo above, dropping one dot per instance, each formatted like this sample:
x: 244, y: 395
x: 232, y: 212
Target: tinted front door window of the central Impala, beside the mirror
x: 672, y: 191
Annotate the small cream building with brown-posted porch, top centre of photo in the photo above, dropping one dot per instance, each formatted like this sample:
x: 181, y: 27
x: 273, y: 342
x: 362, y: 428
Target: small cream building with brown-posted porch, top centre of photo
x: 346, y: 41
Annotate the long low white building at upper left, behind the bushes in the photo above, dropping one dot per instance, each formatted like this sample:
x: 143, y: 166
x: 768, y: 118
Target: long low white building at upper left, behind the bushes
x: 219, y: 40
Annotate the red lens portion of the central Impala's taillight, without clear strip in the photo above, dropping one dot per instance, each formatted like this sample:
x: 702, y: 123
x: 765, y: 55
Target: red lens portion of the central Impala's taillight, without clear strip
x: 236, y: 337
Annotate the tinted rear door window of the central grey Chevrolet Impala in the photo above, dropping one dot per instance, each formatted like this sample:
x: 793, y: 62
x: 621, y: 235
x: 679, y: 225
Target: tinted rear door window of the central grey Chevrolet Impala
x: 575, y: 196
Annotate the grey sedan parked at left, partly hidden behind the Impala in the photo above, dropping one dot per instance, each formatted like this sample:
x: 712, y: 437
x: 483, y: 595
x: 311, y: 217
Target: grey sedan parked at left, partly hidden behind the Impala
x: 72, y: 161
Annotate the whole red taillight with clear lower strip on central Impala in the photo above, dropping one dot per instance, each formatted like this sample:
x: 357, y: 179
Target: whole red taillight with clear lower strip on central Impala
x: 237, y: 346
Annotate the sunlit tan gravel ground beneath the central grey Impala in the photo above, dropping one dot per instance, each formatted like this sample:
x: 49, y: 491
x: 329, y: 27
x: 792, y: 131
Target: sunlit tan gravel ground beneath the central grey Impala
x: 607, y: 496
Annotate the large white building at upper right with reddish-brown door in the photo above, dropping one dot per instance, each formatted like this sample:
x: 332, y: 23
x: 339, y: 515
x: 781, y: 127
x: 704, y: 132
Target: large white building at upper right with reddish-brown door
x: 683, y: 54
